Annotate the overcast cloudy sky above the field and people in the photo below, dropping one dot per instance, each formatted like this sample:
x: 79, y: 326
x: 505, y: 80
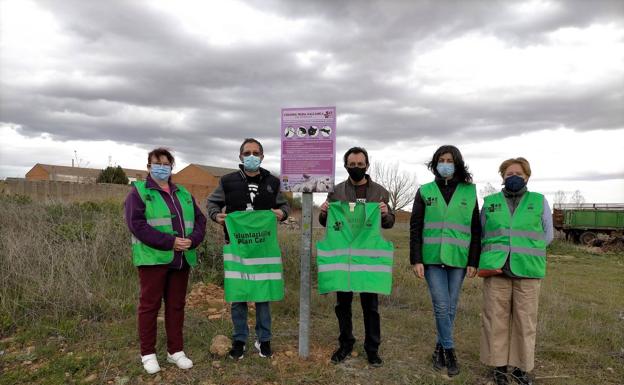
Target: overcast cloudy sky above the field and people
x: 499, y: 79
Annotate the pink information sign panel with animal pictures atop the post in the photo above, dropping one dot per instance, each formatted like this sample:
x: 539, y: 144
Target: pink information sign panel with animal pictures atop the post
x: 308, y: 149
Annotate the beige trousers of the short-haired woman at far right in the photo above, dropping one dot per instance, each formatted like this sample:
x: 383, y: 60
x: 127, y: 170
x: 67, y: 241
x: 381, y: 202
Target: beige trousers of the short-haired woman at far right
x: 509, y: 321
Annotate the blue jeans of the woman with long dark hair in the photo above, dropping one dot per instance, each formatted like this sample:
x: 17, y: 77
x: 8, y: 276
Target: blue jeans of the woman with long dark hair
x: 444, y: 286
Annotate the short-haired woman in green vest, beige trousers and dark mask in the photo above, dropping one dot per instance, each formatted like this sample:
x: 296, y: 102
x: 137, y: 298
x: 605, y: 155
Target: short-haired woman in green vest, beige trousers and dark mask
x: 517, y: 227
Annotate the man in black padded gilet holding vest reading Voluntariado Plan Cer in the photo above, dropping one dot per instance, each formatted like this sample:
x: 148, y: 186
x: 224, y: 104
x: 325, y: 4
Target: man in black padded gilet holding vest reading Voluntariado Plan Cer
x: 251, y: 188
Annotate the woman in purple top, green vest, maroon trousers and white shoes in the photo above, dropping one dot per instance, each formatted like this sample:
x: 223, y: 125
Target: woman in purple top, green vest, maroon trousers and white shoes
x: 166, y: 227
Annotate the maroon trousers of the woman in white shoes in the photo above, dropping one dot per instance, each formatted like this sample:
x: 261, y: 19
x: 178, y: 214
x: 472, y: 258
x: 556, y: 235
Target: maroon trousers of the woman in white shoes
x: 160, y: 283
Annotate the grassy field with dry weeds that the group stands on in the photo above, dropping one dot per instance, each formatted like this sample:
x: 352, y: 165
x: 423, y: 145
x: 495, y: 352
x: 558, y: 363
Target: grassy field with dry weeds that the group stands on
x: 68, y: 295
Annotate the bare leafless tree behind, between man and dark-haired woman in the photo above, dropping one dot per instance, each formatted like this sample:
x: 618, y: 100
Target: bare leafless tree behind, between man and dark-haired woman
x: 401, y: 185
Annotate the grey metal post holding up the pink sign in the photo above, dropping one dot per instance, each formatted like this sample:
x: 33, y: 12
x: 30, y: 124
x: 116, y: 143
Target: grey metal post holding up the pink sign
x: 305, y: 284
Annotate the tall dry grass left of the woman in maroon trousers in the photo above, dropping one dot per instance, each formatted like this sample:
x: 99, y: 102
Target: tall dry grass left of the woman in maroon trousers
x: 60, y: 260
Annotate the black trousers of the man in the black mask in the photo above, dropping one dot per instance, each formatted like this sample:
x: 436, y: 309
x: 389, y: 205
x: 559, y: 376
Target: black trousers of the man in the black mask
x: 372, y: 325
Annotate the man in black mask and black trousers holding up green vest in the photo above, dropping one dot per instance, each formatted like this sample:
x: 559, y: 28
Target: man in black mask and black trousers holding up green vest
x: 358, y: 188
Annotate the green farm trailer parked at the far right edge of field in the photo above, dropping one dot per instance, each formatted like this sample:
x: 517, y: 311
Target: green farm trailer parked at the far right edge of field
x: 583, y: 222
